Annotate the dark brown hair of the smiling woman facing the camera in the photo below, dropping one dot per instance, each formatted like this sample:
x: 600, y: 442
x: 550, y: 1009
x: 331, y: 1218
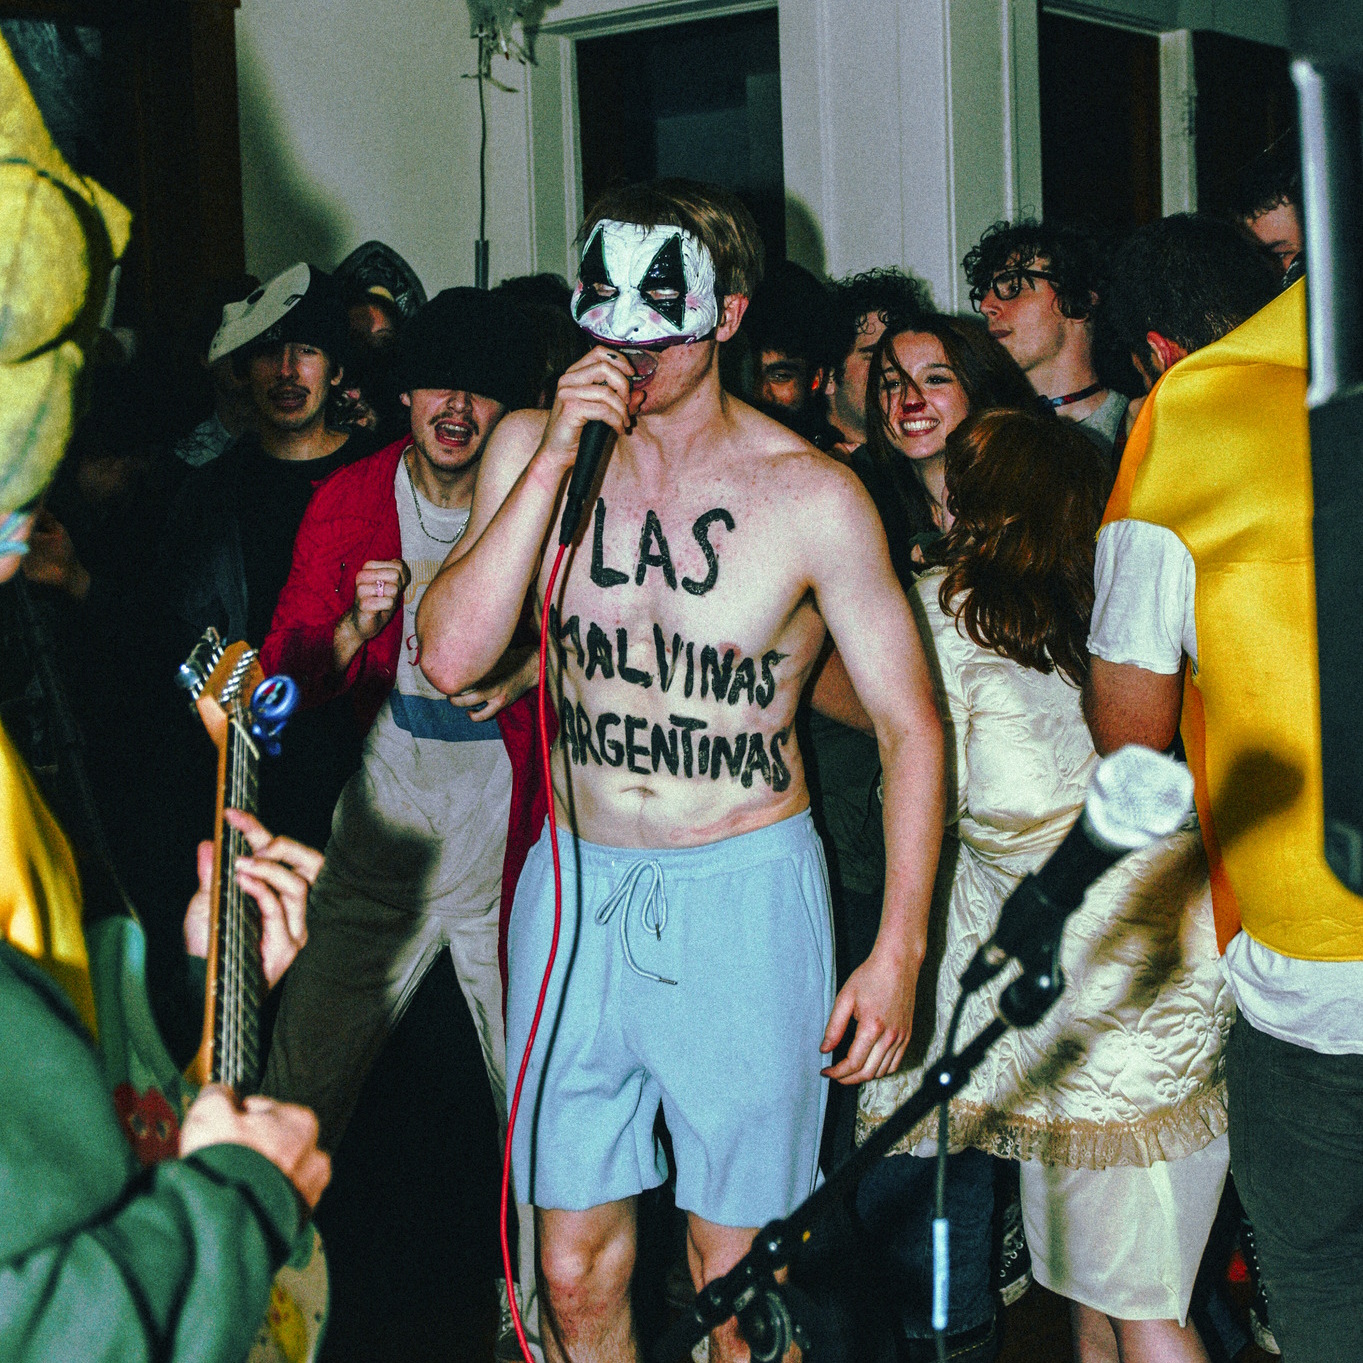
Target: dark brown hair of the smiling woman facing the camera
x: 987, y: 373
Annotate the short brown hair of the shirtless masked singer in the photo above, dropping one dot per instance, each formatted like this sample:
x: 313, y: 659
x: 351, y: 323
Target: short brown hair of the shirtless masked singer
x: 718, y: 219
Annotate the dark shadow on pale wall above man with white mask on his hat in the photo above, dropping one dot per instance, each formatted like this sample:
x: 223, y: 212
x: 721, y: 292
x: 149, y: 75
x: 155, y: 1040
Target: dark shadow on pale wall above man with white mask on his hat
x: 288, y: 216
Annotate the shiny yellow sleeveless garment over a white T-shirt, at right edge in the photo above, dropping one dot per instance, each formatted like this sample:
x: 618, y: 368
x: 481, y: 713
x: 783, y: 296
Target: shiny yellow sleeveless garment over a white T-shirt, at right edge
x: 1221, y: 456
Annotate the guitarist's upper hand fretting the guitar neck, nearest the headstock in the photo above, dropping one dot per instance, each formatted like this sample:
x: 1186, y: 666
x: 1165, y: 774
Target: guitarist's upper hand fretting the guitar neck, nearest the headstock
x: 277, y: 876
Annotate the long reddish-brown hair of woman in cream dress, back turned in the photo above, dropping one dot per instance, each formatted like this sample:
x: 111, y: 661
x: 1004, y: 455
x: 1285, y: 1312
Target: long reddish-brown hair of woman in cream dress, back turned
x: 1027, y: 495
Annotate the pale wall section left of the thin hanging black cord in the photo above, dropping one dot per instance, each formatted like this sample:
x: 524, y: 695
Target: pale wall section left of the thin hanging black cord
x: 356, y: 125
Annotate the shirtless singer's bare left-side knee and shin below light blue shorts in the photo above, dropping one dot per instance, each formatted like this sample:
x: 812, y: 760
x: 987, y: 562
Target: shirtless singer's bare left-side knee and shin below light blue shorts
x: 587, y: 1260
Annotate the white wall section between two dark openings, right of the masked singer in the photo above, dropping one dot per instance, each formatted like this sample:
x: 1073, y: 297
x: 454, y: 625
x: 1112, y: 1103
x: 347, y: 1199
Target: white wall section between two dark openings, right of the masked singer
x: 910, y: 127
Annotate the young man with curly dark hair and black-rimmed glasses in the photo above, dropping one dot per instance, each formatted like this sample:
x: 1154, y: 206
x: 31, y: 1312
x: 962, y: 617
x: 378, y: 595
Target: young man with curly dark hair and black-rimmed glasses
x: 1038, y: 287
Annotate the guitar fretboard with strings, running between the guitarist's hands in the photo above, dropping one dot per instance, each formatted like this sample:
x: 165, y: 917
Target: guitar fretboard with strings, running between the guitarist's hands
x: 241, y: 982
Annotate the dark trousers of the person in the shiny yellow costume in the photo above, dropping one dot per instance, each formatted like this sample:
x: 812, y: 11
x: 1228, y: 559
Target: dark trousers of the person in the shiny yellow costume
x: 1297, y: 1154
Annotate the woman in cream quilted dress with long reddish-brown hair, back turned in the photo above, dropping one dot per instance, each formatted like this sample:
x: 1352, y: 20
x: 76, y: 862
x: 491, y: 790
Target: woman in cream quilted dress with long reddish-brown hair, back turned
x: 1116, y: 1103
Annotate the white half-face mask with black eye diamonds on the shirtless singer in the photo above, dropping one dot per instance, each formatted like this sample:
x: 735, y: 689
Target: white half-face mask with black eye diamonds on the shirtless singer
x: 645, y: 287
